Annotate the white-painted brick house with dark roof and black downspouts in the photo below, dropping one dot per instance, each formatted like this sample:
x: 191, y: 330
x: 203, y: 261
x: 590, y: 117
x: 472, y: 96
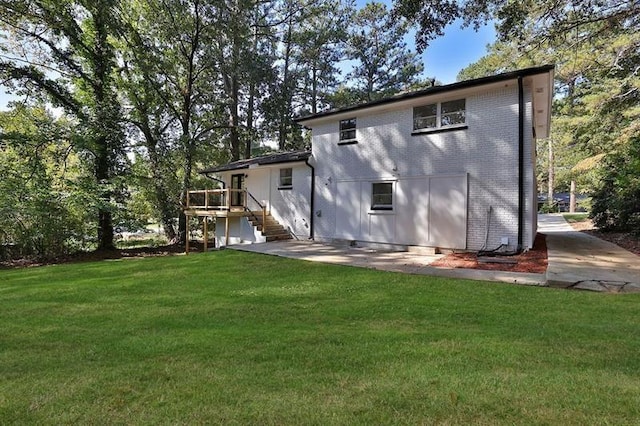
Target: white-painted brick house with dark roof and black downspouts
x: 450, y: 166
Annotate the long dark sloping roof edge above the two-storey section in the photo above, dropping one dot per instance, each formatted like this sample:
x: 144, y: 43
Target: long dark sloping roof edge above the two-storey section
x: 433, y: 90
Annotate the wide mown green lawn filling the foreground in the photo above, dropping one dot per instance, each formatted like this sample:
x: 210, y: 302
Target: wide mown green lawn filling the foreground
x: 237, y: 338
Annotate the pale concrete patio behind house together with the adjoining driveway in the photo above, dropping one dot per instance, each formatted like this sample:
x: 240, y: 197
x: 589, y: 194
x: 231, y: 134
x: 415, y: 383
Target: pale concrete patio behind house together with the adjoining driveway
x: 576, y: 260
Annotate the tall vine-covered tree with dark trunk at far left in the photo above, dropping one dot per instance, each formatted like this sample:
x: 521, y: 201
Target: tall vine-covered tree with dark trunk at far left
x: 68, y: 56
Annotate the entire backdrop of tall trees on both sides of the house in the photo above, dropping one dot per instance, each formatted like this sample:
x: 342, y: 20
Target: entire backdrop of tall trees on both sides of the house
x: 147, y: 92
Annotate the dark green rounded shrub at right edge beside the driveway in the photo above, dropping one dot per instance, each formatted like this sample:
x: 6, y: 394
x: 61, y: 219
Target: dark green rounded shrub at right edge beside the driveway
x: 616, y: 203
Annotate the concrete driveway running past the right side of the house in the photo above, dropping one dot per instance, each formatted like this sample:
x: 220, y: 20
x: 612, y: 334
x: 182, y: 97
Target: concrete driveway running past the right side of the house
x: 582, y: 261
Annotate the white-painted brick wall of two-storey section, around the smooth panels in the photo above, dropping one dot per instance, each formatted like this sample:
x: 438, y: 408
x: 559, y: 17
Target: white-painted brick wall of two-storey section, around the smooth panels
x: 487, y: 151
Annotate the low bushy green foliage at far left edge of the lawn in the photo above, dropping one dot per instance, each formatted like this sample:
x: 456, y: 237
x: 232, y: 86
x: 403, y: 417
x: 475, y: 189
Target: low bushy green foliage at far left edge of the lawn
x: 41, y: 215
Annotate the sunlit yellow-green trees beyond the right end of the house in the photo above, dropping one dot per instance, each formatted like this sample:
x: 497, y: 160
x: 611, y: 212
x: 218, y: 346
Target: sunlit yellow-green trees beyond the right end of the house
x: 595, y: 111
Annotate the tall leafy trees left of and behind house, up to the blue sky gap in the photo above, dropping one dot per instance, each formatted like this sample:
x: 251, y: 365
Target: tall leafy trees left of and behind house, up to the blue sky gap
x: 151, y: 91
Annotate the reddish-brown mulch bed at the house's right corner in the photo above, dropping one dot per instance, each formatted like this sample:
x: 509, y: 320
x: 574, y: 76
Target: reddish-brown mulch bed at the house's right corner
x: 532, y: 261
